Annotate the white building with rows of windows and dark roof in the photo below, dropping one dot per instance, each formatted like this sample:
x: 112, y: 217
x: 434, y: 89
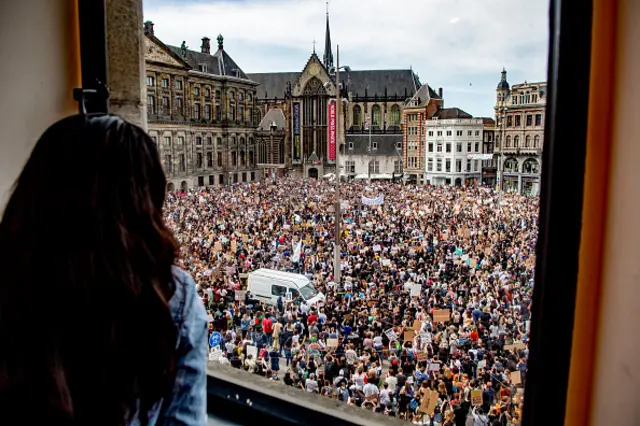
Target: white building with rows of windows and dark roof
x: 452, y: 136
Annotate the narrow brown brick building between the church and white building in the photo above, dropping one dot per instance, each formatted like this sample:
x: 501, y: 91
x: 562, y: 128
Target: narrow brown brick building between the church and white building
x: 417, y: 110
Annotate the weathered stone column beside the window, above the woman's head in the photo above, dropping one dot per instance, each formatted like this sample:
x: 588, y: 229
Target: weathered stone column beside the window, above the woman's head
x: 126, y: 60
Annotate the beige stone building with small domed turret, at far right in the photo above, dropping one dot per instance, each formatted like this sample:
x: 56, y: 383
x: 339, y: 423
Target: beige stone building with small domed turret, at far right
x: 520, y: 116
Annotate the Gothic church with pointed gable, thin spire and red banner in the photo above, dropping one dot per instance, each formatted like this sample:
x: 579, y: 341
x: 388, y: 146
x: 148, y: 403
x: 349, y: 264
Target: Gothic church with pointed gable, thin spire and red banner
x: 305, y: 99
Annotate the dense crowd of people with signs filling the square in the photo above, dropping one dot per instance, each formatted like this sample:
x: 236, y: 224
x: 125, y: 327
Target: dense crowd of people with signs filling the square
x: 430, y: 320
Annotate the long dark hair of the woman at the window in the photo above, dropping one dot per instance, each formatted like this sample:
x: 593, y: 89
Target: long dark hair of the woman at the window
x: 86, y: 333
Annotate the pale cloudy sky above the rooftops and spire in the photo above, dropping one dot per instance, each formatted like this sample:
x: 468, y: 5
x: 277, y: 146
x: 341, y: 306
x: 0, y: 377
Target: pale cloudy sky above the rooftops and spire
x: 459, y: 45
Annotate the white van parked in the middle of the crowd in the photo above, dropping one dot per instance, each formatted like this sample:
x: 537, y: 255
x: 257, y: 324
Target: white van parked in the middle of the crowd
x: 267, y: 285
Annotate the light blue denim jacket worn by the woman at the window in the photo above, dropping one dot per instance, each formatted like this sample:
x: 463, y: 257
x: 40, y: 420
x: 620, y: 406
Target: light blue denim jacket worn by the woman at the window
x: 187, y: 405
